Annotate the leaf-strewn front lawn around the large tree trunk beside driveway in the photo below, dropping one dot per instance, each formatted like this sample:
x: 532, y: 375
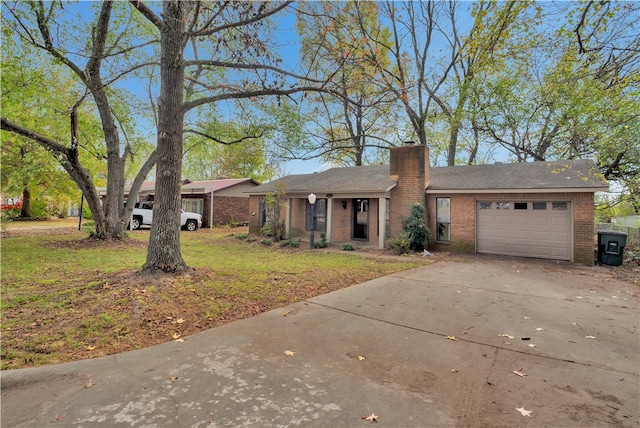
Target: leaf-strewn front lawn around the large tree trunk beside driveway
x: 67, y: 298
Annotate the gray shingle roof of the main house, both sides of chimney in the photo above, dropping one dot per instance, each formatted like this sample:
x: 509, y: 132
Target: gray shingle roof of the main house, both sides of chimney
x: 576, y: 175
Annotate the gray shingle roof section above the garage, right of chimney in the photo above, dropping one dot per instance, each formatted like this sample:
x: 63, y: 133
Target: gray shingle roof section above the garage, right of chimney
x: 579, y: 174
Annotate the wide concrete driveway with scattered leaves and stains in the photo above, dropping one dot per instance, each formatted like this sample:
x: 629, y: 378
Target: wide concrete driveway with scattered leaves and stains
x: 434, y: 346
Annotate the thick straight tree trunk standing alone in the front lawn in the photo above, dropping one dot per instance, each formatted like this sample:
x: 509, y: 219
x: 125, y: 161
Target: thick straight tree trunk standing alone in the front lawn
x: 163, y: 253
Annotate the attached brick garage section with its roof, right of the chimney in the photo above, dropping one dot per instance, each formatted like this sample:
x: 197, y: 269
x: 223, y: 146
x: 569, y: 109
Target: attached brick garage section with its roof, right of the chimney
x: 536, y: 209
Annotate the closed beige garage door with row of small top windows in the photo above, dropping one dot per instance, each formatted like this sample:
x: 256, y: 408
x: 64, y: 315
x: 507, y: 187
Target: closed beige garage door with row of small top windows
x: 528, y: 229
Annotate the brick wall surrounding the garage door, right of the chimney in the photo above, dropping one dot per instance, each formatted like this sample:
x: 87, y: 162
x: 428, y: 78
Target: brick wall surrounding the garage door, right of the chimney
x: 463, y: 222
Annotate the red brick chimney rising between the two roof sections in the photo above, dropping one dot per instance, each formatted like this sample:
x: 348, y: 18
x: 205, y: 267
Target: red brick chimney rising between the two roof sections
x: 409, y: 167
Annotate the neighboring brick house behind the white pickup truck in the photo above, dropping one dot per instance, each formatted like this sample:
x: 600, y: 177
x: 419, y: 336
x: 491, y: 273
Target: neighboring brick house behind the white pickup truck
x: 221, y: 201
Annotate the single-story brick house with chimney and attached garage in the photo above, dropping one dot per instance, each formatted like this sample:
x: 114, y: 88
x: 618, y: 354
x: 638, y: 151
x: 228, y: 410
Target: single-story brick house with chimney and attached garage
x: 537, y: 209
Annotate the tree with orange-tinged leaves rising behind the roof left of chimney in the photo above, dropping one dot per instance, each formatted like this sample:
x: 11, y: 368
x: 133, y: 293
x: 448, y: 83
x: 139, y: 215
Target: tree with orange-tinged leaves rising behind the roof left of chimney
x: 354, y: 123
